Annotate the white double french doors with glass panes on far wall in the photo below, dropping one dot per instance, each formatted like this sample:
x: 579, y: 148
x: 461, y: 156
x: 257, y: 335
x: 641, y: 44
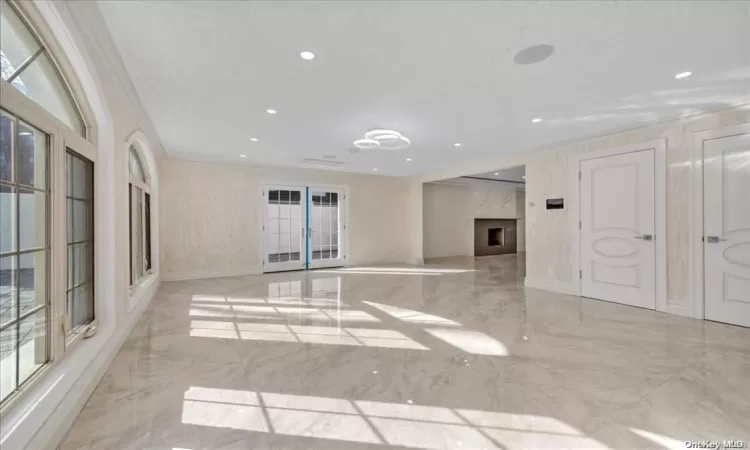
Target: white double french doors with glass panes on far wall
x: 303, y: 228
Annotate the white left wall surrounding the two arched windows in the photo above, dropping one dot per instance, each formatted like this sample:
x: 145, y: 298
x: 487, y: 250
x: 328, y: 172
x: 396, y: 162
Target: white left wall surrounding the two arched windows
x: 76, y: 34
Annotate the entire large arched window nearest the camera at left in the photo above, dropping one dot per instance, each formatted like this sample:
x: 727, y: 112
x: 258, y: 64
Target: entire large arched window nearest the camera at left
x: 47, y: 258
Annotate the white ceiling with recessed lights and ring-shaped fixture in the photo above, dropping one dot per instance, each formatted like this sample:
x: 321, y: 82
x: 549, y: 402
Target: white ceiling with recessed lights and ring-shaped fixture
x: 439, y: 72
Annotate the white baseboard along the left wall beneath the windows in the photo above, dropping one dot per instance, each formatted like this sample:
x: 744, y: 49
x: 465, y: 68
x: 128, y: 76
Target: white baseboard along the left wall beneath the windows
x: 56, y: 415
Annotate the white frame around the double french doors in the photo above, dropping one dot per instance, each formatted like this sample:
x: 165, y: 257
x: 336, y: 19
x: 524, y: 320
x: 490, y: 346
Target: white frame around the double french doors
x: 263, y: 211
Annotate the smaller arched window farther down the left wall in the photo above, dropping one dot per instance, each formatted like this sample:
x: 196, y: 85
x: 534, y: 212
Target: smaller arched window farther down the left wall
x: 140, y: 218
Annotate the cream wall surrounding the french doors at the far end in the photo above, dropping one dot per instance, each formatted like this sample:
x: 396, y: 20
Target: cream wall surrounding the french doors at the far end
x: 211, y: 216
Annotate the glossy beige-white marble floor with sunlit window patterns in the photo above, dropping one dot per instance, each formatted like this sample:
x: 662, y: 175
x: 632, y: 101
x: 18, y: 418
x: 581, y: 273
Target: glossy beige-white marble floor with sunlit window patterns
x: 453, y: 355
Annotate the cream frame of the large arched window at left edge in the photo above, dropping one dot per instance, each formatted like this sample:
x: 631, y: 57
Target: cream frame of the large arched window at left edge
x: 59, y: 341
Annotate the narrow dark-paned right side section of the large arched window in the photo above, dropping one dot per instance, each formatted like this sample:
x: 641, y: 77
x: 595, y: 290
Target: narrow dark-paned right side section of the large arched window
x: 80, y: 216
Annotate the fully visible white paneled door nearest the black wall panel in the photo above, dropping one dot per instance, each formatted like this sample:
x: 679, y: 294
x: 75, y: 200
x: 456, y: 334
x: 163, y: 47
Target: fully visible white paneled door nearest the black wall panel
x: 618, y: 252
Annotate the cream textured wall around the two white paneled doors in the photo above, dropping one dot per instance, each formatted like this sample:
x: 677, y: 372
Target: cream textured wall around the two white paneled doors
x: 550, y: 174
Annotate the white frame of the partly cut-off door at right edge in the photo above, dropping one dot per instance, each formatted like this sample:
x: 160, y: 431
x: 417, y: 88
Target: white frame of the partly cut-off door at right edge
x: 696, y: 289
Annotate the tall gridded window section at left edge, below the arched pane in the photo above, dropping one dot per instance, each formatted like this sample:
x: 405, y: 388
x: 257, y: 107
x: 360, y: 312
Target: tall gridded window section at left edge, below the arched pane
x: 24, y: 252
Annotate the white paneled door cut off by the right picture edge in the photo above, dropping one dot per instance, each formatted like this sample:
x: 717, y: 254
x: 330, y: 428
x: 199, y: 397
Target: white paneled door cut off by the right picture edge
x: 726, y: 205
